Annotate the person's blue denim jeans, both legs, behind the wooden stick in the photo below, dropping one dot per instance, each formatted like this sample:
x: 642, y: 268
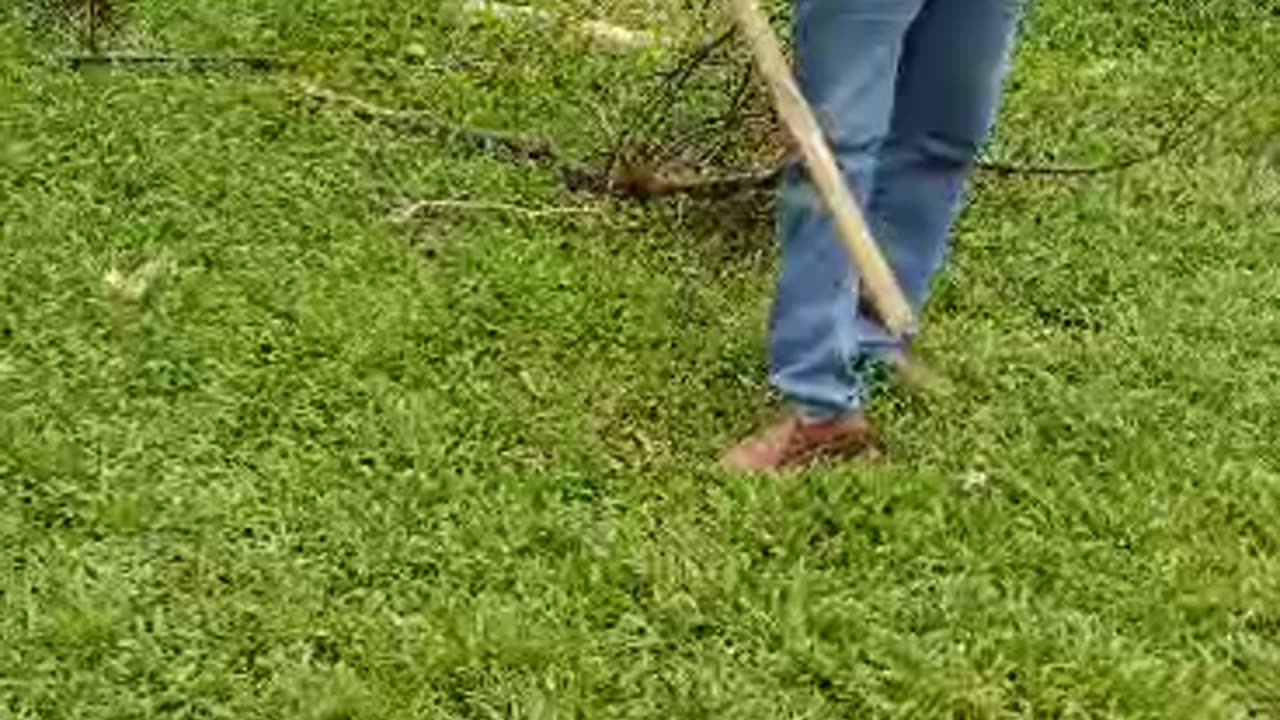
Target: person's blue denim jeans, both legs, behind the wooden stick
x: 908, y: 92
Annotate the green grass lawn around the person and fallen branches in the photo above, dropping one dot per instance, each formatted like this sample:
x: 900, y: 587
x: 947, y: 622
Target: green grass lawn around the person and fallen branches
x: 337, y: 467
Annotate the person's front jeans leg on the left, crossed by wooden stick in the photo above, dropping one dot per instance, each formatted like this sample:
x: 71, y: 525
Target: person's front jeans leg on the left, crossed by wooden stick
x: 848, y: 56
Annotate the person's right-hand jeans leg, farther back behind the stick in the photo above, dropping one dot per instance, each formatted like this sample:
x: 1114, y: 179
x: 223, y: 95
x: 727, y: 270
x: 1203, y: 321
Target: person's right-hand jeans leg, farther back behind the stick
x: 949, y: 88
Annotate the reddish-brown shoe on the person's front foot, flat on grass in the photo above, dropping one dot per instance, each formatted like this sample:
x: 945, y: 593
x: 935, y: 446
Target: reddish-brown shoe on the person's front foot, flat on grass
x: 796, y: 443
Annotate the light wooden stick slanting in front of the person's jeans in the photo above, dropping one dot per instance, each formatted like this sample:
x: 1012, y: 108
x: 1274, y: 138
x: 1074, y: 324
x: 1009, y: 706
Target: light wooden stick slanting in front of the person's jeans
x: 881, y: 286
